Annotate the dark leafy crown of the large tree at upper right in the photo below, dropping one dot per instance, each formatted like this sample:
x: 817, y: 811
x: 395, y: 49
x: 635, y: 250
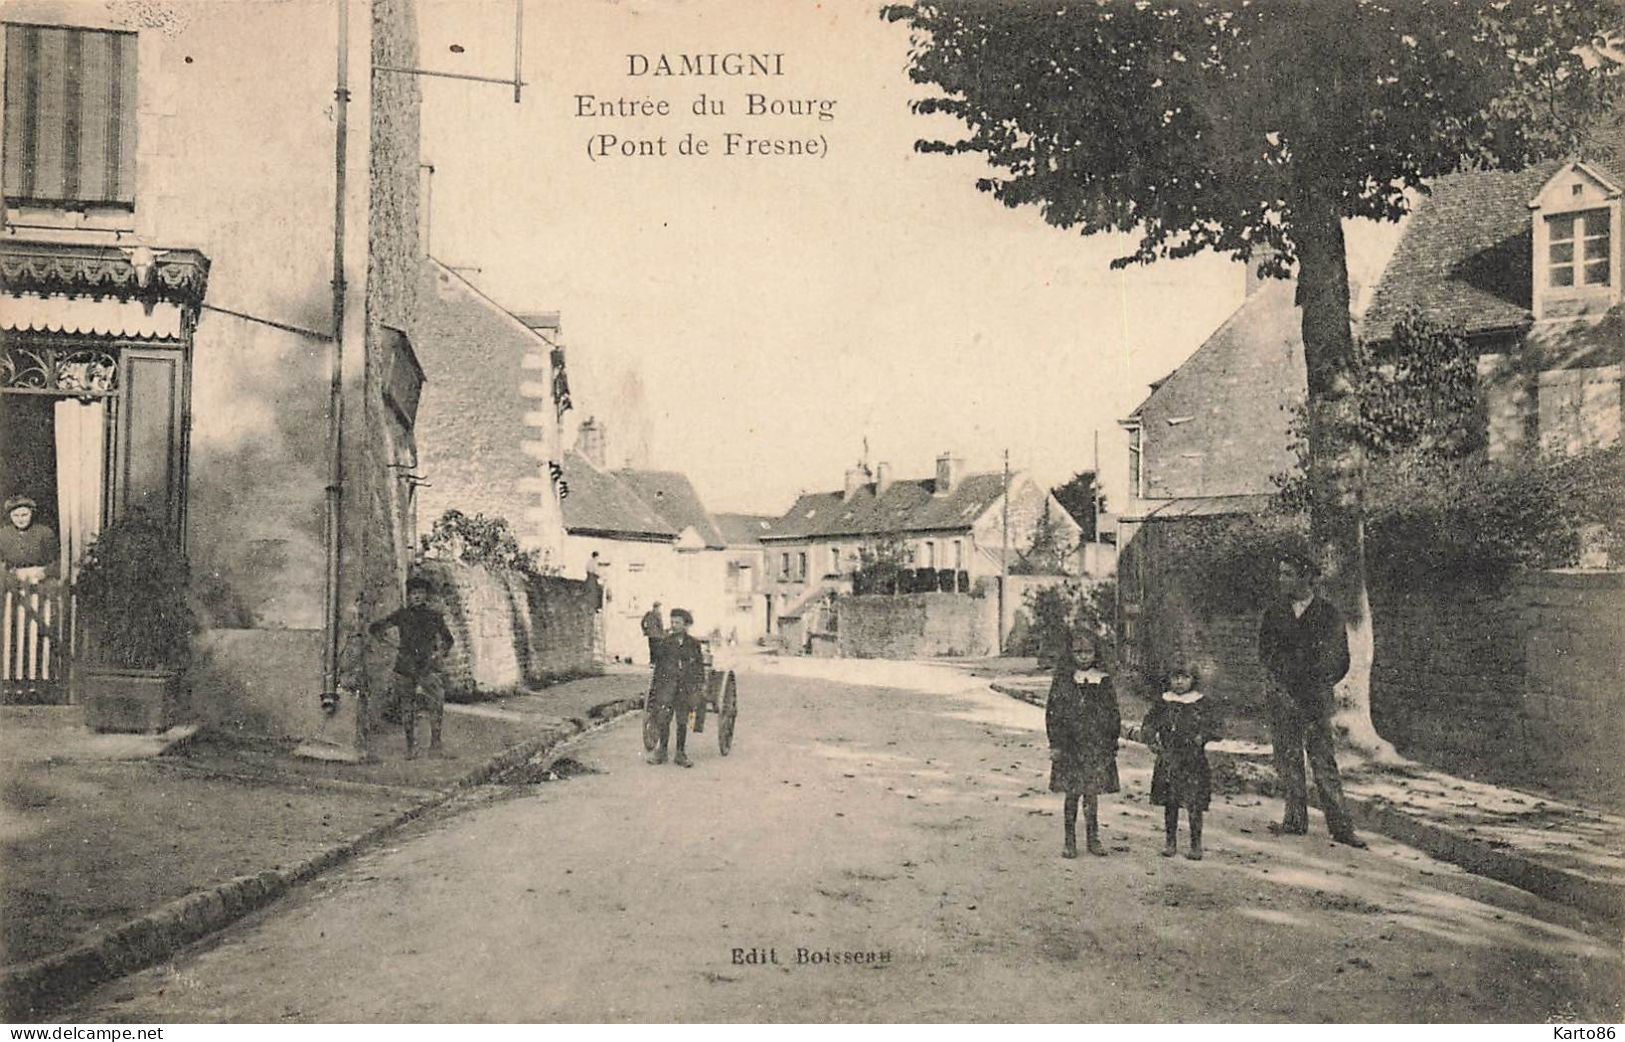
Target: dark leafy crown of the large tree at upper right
x: 1208, y: 124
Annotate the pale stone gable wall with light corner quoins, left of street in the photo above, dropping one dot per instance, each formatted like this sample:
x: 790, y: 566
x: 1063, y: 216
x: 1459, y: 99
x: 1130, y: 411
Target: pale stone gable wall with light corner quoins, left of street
x: 490, y: 432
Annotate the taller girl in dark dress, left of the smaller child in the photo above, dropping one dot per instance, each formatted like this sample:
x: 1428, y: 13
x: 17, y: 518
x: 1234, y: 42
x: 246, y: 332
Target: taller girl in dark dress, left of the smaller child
x: 1083, y: 723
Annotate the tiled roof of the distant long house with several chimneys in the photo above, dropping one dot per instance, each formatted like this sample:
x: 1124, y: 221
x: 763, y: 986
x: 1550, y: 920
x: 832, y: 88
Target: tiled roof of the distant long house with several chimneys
x: 908, y: 506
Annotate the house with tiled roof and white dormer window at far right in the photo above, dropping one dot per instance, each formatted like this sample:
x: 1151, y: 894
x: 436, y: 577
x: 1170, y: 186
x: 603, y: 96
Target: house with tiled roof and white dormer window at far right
x: 1528, y: 267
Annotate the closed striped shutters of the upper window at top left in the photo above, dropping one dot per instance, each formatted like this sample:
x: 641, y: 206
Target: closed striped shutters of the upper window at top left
x: 69, y: 116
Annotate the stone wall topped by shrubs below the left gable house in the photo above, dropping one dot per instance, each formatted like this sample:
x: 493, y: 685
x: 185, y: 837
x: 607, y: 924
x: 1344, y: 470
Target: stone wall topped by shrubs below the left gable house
x: 511, y: 632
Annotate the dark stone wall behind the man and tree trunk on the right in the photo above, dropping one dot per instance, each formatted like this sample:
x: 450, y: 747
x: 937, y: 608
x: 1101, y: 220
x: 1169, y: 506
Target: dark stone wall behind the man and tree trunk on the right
x: 1525, y: 685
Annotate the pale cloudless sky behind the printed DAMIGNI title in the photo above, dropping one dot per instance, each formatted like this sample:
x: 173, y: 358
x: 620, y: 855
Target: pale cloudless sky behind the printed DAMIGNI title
x: 755, y: 321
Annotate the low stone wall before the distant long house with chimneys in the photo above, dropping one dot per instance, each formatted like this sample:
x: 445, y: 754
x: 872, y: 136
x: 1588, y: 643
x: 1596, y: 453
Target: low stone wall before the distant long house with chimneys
x: 914, y: 627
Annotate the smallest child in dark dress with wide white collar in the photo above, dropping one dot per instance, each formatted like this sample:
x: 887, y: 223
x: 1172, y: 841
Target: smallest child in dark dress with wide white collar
x: 1177, y: 727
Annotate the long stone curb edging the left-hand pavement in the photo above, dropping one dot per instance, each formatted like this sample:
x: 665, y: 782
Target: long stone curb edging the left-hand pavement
x: 51, y: 983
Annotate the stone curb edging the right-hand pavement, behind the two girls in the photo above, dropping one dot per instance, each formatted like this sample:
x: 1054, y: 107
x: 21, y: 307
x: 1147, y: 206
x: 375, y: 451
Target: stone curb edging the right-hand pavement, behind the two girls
x: 1600, y: 898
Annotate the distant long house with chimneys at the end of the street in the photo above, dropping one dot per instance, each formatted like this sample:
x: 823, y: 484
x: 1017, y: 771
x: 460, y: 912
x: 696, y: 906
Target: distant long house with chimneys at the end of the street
x: 951, y: 524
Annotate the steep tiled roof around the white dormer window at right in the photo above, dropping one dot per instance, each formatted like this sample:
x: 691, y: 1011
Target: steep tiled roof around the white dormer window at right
x: 1465, y: 258
